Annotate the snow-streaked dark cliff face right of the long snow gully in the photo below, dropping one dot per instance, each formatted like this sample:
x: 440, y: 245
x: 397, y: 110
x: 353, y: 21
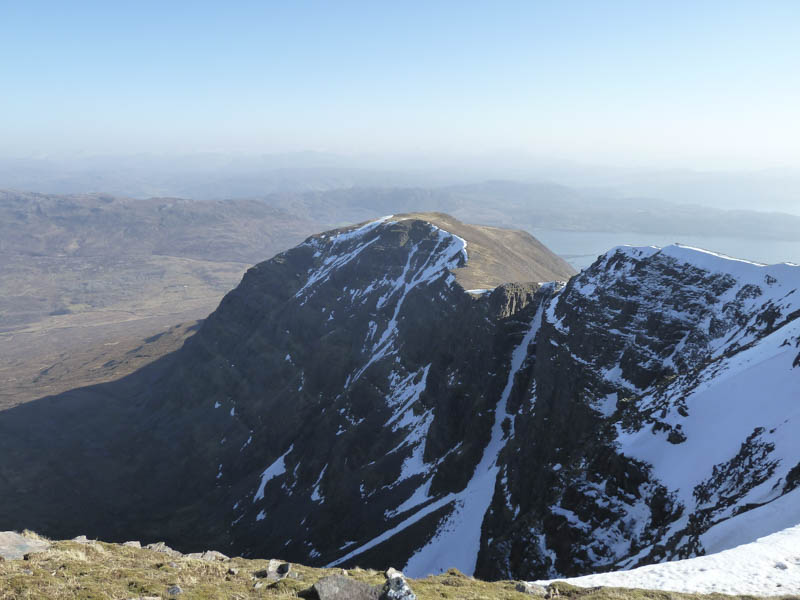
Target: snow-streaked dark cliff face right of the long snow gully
x: 661, y: 407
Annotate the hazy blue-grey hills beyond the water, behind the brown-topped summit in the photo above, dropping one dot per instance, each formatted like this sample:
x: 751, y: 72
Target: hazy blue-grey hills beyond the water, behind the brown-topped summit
x: 532, y: 206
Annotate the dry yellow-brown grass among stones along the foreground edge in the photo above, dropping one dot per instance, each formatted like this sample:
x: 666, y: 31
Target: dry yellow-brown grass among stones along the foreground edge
x: 100, y: 571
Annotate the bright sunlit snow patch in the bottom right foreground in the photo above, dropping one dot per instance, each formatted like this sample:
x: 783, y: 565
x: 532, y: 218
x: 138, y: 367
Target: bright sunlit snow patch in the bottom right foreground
x: 769, y: 566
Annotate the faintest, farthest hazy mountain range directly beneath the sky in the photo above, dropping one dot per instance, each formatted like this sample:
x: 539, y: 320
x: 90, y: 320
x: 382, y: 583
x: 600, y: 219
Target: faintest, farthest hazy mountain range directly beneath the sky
x: 216, y: 176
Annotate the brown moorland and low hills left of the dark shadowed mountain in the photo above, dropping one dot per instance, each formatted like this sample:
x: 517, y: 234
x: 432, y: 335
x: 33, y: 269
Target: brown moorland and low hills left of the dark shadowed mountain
x: 80, y: 275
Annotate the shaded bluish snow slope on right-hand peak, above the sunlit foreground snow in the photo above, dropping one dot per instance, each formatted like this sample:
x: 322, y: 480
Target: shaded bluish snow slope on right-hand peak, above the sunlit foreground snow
x: 733, y: 409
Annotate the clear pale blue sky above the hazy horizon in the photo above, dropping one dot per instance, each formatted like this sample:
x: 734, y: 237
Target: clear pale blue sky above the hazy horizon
x: 615, y: 82
